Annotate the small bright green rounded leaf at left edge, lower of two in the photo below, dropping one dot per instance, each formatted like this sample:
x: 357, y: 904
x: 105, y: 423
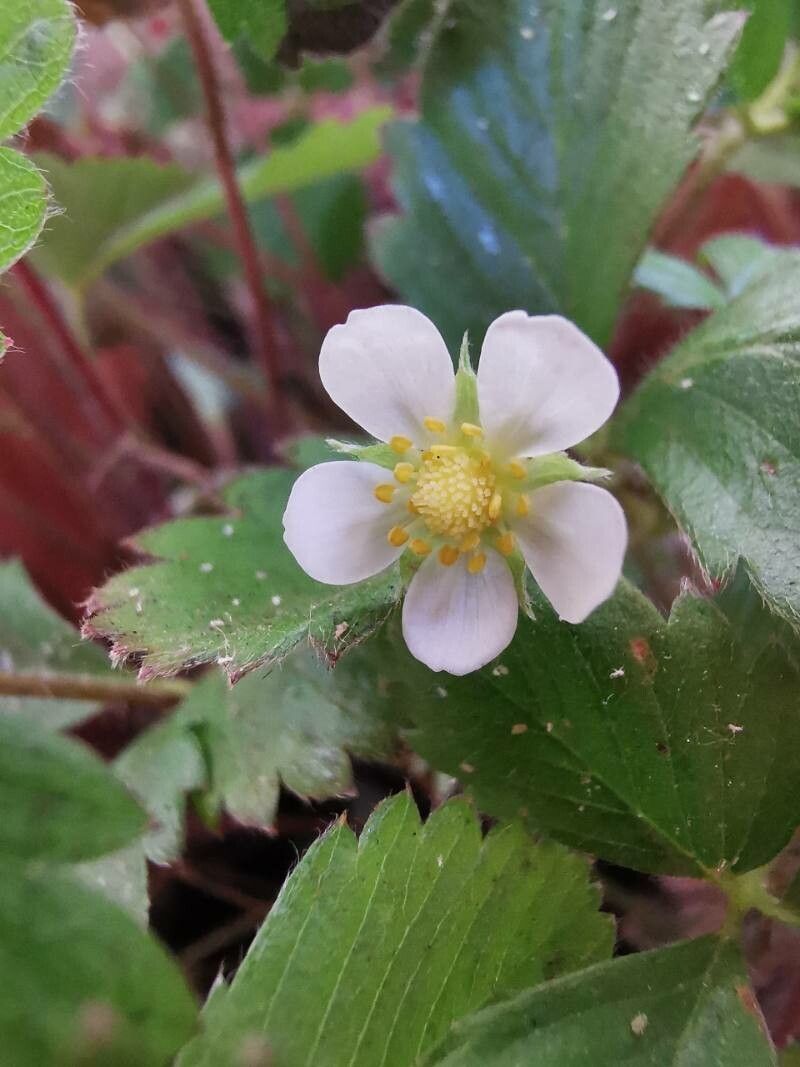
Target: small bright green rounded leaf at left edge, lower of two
x: 23, y: 206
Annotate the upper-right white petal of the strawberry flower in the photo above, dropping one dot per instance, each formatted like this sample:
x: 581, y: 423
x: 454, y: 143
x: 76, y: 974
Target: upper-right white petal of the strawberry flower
x: 542, y: 385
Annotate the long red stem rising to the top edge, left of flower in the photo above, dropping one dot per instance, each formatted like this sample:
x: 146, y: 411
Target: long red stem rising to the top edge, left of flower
x: 268, y: 348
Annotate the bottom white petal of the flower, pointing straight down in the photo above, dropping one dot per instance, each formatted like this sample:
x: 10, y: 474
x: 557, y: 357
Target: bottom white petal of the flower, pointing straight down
x: 457, y: 622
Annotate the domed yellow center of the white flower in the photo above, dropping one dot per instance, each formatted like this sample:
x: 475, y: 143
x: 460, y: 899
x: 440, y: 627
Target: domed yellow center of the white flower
x: 456, y: 492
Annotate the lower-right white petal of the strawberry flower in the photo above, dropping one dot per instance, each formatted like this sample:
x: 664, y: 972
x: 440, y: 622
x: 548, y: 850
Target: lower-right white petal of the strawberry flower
x: 574, y: 544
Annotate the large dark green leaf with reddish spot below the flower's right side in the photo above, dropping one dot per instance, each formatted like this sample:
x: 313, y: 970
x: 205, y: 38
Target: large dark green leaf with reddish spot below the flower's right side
x: 670, y: 749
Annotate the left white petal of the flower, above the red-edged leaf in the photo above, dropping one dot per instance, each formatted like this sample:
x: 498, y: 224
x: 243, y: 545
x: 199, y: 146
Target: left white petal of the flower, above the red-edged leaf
x: 335, y: 528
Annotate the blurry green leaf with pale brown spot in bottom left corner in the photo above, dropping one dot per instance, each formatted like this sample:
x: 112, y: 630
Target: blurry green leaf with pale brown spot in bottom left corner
x: 89, y: 985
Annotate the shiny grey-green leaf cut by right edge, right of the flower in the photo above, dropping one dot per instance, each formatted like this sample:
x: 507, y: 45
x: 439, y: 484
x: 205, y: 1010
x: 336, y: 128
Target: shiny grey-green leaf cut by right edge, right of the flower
x: 717, y: 428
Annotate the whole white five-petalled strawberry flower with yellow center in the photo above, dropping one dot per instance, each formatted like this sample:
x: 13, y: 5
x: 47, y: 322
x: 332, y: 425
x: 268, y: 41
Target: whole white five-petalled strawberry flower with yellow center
x: 471, y: 480
